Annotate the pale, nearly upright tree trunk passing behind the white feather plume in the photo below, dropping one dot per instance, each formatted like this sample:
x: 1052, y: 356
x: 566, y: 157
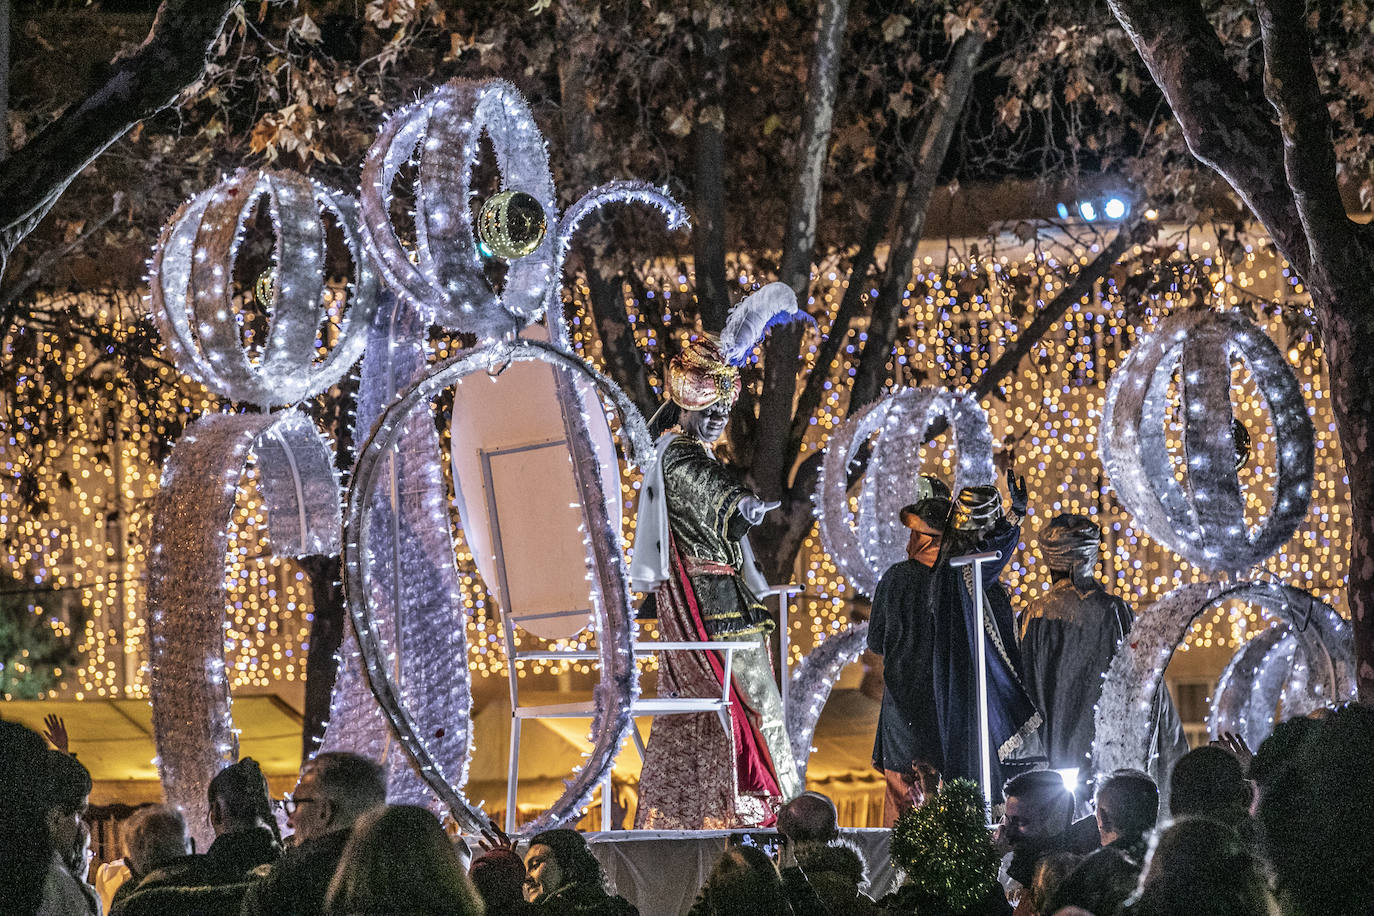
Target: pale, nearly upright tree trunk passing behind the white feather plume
x: 782, y: 362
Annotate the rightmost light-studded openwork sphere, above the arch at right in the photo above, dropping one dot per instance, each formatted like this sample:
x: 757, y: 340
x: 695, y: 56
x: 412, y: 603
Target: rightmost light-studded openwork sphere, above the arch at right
x: 1204, y: 521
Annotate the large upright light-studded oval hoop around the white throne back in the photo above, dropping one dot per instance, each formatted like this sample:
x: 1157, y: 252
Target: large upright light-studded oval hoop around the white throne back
x: 615, y: 619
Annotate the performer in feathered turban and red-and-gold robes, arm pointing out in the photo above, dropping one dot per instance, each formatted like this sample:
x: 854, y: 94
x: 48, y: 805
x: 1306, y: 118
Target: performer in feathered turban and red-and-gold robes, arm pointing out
x: 692, y: 557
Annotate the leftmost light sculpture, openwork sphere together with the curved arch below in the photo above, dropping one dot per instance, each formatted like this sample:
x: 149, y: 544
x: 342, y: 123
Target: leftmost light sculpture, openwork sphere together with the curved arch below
x: 193, y: 301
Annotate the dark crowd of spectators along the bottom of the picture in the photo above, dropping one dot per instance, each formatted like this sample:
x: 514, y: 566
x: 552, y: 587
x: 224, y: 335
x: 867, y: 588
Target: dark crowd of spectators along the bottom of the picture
x: 1281, y: 833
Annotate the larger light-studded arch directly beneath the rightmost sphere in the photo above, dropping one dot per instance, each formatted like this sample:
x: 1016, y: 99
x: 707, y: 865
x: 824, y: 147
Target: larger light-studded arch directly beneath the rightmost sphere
x: 1123, y: 729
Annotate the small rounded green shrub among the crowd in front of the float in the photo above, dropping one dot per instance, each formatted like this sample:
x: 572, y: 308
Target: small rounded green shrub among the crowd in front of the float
x: 945, y: 852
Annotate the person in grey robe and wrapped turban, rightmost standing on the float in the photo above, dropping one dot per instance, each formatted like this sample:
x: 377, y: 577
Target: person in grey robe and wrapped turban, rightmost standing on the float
x: 1068, y: 641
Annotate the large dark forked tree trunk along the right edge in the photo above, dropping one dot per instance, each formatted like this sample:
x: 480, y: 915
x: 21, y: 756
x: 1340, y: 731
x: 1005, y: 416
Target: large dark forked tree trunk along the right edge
x: 1284, y: 168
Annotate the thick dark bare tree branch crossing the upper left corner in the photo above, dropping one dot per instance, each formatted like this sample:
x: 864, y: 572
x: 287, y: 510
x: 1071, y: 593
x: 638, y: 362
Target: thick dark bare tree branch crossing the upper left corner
x: 170, y: 60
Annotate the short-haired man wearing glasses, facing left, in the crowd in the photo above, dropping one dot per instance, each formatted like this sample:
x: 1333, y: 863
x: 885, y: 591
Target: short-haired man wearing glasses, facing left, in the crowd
x: 335, y: 792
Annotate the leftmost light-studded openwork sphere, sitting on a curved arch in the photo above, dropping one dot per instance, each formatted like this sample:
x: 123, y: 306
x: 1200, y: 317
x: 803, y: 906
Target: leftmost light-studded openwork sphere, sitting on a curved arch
x: 193, y: 289
